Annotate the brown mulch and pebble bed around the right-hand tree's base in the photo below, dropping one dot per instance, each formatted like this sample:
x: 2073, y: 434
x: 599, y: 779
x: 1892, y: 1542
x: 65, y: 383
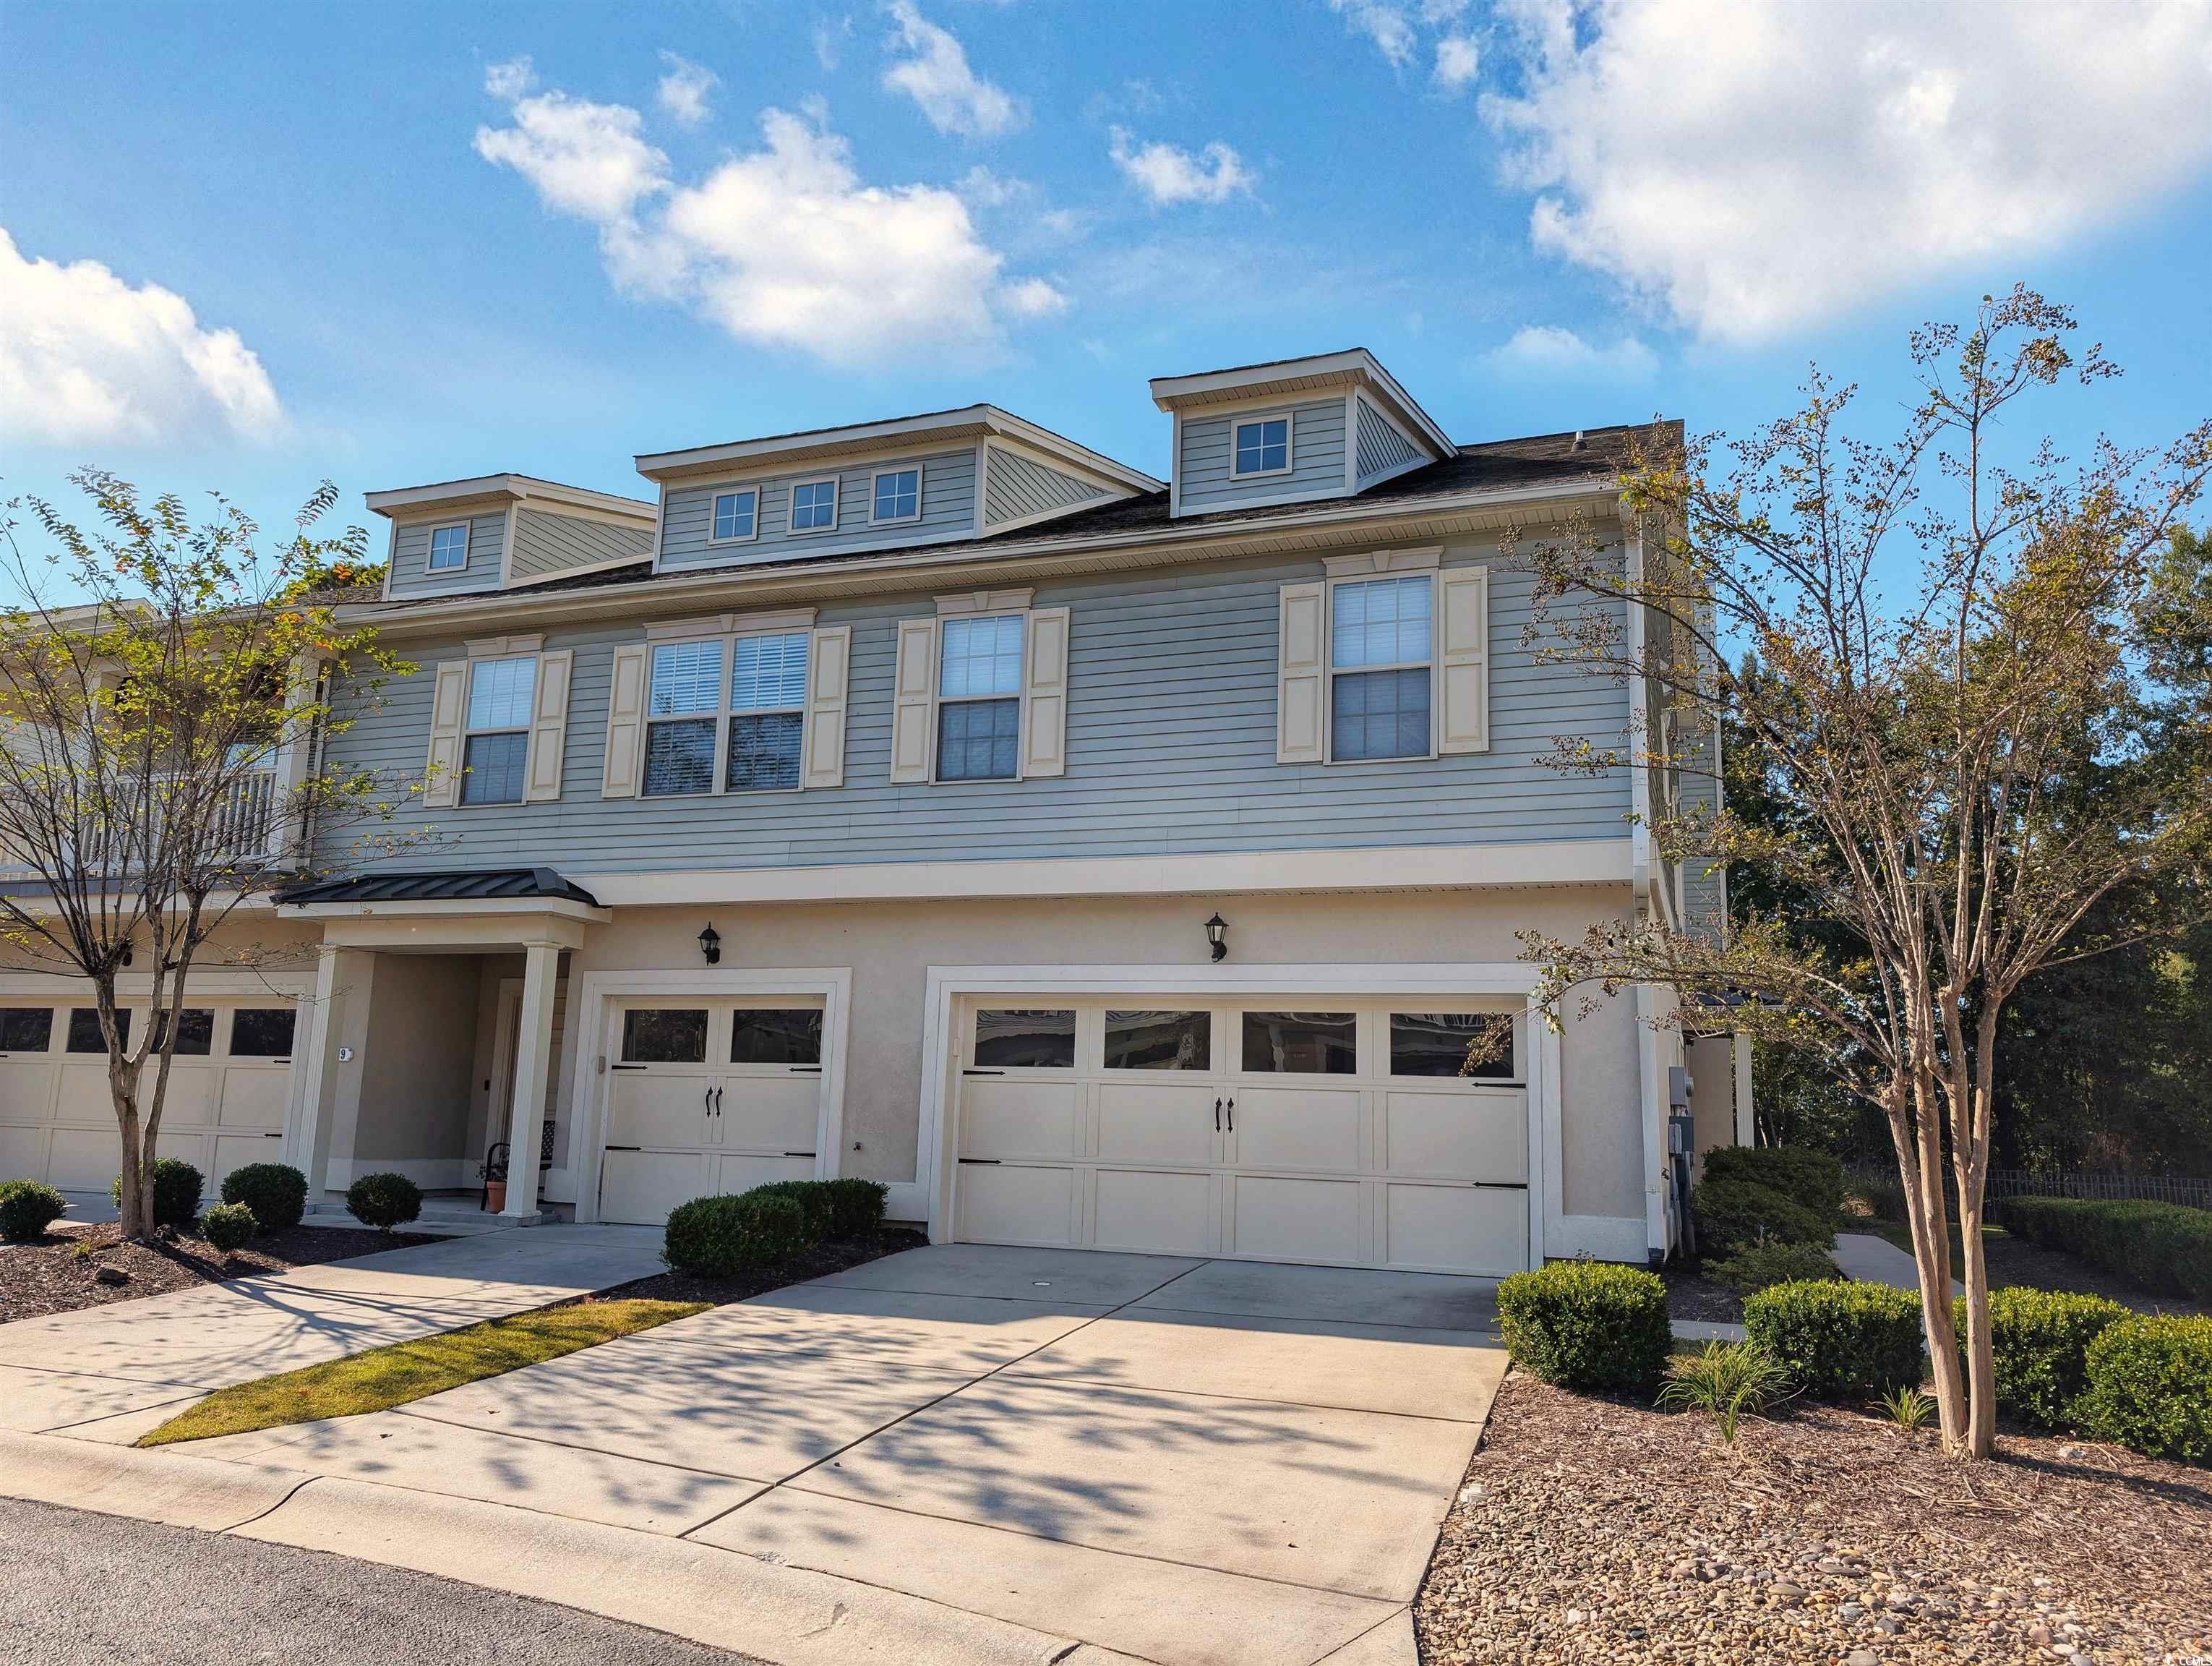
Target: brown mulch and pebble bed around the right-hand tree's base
x: 1603, y: 1532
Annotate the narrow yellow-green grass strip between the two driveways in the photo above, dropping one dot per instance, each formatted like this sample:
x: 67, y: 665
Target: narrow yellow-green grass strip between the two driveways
x: 404, y: 1373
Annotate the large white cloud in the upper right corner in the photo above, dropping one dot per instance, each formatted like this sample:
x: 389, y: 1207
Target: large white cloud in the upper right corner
x: 1755, y: 169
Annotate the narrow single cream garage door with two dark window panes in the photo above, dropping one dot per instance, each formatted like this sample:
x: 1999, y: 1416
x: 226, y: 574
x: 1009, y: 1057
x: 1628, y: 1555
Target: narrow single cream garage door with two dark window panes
x: 711, y: 1096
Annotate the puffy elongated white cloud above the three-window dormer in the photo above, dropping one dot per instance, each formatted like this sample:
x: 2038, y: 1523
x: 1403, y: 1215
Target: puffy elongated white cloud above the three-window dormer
x: 784, y: 247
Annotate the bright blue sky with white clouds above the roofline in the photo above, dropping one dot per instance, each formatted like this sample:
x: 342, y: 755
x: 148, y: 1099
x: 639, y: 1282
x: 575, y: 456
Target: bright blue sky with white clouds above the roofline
x: 255, y: 247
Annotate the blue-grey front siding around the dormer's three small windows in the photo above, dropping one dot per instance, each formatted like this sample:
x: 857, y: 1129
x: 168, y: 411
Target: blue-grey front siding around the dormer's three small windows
x: 948, y: 512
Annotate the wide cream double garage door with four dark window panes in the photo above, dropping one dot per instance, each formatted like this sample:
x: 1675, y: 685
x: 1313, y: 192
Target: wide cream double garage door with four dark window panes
x: 1339, y: 1132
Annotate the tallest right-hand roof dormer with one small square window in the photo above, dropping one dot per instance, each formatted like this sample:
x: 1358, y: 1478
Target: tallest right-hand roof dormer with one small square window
x: 1295, y: 430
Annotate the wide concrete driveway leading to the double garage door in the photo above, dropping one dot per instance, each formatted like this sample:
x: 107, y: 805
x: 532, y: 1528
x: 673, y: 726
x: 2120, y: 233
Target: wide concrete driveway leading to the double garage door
x: 1187, y: 1461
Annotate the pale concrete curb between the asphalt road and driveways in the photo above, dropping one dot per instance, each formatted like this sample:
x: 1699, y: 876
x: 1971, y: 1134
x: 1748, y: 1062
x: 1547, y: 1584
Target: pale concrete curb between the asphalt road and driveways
x: 682, y: 1587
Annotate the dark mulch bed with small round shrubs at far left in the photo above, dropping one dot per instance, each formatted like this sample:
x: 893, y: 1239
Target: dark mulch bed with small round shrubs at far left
x: 56, y: 1275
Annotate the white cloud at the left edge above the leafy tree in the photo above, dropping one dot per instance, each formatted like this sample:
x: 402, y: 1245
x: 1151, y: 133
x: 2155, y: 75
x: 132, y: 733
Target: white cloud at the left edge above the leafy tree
x: 85, y: 357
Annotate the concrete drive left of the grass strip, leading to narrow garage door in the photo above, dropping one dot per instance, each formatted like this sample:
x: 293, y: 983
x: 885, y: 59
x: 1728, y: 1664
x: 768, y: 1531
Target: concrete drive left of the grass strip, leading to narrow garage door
x: 118, y: 1371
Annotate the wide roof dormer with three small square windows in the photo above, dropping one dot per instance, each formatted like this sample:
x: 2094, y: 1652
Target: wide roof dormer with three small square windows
x: 875, y: 488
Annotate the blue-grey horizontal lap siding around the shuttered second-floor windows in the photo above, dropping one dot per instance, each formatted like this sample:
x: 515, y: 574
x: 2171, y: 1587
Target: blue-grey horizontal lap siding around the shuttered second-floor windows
x: 1171, y: 749
